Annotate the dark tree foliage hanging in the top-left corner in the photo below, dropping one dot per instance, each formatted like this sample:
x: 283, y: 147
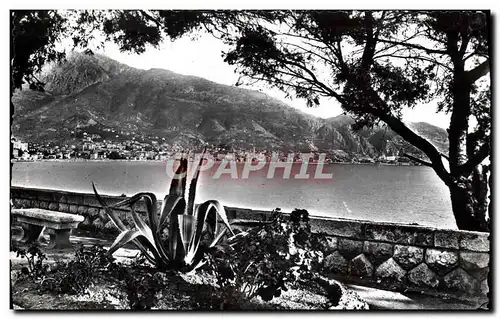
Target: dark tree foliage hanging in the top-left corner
x: 35, y: 36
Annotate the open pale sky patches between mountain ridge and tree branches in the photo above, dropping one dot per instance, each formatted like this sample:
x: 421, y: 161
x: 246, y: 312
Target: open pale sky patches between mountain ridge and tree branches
x: 202, y: 57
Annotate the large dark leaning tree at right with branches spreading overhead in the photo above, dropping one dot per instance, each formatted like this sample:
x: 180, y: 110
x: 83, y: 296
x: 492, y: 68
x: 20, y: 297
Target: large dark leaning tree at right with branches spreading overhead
x: 374, y: 63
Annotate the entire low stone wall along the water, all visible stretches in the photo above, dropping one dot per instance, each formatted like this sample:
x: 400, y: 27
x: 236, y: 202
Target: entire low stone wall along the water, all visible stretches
x: 391, y: 256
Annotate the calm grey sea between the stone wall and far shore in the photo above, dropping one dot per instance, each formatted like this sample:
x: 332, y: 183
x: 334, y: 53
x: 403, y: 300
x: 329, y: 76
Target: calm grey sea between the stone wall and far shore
x: 384, y: 193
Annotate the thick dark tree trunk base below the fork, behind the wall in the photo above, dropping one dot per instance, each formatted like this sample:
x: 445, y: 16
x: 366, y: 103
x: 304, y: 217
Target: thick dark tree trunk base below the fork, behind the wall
x: 468, y: 203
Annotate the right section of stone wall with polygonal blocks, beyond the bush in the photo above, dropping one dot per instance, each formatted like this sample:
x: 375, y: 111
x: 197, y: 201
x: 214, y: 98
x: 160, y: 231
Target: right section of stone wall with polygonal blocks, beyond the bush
x: 405, y: 257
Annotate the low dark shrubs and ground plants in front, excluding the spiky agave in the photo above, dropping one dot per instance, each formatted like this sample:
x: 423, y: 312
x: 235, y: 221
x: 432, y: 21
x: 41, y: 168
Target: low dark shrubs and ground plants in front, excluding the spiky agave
x: 272, y: 267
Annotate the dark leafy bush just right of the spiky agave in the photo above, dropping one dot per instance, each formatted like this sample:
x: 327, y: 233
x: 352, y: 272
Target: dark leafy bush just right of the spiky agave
x: 264, y: 260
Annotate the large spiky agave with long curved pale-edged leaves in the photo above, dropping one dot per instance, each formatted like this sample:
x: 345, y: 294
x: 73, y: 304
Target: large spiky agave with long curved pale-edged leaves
x: 173, y: 237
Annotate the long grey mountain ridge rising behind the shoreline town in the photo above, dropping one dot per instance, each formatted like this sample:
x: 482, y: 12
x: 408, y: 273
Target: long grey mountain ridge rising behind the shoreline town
x: 102, y: 96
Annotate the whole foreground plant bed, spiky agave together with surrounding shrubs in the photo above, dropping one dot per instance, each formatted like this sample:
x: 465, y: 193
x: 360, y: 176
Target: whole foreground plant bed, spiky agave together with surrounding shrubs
x: 183, y: 247
